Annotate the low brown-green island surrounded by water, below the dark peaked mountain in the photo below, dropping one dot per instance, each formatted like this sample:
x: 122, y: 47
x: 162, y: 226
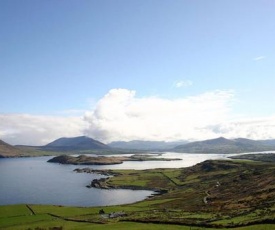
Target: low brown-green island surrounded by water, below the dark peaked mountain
x: 102, y: 160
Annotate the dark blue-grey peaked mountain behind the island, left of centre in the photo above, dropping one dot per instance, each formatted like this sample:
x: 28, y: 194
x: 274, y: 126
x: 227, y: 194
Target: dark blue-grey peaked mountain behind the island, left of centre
x: 75, y: 143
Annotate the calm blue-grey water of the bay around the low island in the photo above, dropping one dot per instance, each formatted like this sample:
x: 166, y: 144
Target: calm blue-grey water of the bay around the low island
x: 34, y: 181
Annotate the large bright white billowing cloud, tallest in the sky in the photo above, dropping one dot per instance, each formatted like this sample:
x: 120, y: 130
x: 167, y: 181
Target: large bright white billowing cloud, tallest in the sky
x: 120, y: 115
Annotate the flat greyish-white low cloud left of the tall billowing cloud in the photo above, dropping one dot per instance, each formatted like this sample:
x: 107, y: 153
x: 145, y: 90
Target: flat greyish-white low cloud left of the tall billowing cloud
x: 38, y: 130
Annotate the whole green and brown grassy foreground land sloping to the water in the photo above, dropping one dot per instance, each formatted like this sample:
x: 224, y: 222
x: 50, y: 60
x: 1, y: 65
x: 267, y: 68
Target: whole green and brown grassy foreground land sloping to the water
x: 212, y: 194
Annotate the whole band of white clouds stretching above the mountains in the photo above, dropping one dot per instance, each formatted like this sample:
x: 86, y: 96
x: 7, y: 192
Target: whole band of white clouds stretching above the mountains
x: 122, y: 116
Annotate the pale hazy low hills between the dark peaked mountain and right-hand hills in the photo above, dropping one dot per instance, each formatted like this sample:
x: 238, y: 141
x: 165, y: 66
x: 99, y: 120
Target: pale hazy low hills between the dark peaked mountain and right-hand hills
x: 145, y: 145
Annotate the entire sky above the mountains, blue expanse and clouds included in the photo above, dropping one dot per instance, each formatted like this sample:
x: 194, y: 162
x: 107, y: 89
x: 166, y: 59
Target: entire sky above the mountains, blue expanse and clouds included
x: 136, y: 70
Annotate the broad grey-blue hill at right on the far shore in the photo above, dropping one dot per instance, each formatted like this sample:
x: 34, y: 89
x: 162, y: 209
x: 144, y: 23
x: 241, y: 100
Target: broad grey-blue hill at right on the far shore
x: 223, y: 145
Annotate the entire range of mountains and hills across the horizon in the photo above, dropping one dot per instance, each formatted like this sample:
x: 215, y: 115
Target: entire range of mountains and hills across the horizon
x: 83, y: 143
